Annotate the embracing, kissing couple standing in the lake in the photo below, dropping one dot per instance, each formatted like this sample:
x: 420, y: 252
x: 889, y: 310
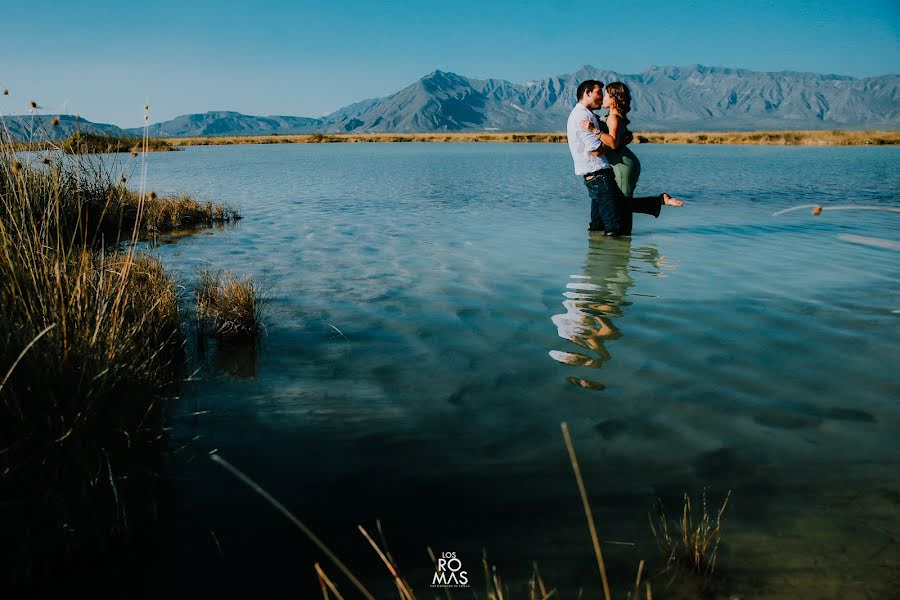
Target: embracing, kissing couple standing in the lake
x: 610, y: 170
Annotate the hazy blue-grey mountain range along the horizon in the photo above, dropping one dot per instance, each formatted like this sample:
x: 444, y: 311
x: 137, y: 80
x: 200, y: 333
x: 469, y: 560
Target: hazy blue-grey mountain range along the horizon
x: 692, y: 98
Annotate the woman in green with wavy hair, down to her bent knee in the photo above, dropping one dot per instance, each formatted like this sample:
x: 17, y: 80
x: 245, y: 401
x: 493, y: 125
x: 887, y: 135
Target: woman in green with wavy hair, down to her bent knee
x: 626, y: 166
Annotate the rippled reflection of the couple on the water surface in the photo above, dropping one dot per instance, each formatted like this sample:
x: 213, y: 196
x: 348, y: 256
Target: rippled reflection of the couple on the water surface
x: 596, y: 299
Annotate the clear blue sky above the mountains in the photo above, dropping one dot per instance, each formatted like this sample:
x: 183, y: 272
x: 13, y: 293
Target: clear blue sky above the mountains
x: 104, y: 59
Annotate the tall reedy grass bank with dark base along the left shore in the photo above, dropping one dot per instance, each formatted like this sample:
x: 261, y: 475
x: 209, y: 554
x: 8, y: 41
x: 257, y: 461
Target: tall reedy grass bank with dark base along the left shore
x: 90, y: 348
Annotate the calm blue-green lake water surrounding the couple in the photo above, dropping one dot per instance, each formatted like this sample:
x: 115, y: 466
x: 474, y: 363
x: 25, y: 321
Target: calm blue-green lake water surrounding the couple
x: 435, y: 311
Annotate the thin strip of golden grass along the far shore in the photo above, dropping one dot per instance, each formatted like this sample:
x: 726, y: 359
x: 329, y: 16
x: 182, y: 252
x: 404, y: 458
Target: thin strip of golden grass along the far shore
x: 776, y: 138
